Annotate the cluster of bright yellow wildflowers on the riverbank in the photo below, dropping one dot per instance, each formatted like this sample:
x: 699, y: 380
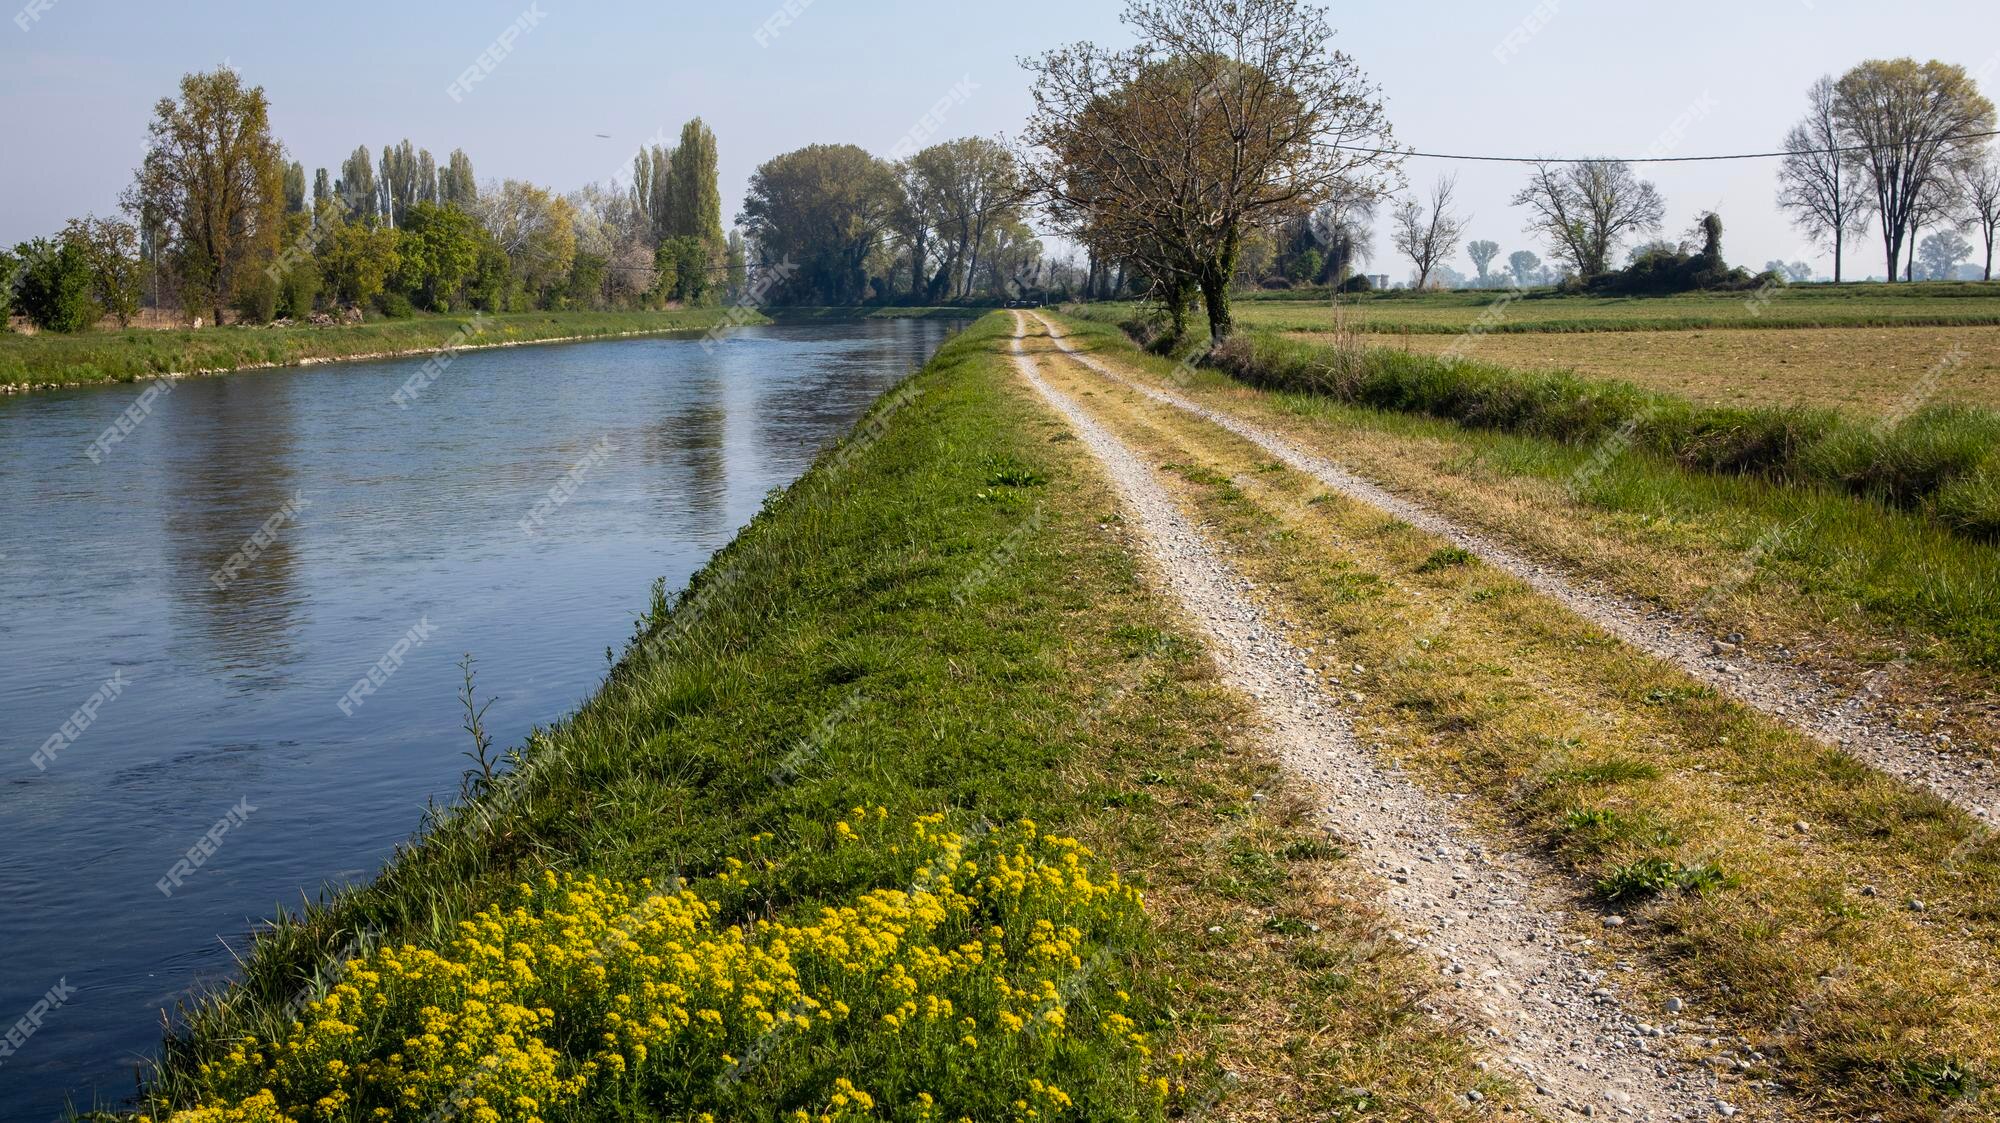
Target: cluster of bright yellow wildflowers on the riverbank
x: 973, y: 984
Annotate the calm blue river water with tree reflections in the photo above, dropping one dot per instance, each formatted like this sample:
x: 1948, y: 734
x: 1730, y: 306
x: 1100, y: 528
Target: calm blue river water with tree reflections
x: 229, y: 646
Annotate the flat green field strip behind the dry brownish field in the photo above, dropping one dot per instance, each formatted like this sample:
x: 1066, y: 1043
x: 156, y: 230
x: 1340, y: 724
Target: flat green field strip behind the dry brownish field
x: 1545, y: 311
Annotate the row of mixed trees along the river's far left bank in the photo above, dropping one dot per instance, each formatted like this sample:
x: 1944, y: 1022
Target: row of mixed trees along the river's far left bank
x: 221, y: 225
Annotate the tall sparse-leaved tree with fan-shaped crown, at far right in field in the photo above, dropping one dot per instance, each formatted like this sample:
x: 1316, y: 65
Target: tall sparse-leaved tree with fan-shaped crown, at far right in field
x: 1913, y: 125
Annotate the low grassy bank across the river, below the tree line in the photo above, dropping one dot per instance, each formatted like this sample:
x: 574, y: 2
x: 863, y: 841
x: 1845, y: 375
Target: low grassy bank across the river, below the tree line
x: 125, y: 357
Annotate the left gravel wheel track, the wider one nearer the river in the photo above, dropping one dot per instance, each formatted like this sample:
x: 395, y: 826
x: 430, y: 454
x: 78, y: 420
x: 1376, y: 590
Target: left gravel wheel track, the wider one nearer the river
x: 1499, y: 934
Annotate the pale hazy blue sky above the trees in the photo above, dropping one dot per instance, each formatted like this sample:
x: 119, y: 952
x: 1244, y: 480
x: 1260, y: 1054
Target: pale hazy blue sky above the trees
x: 1593, y: 79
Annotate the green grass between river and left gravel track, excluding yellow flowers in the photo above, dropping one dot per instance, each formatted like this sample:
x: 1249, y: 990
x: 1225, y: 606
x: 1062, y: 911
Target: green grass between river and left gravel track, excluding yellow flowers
x: 881, y: 636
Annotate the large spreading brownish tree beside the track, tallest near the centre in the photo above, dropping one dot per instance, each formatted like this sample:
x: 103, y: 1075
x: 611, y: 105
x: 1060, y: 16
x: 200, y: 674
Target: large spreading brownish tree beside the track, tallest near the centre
x: 1227, y: 113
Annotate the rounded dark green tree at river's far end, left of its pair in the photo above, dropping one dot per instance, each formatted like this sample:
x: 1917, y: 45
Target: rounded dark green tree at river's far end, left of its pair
x: 823, y: 209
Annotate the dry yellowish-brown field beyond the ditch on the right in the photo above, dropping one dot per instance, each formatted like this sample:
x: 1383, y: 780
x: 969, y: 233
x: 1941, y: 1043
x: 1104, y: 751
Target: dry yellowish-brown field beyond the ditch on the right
x: 1861, y: 371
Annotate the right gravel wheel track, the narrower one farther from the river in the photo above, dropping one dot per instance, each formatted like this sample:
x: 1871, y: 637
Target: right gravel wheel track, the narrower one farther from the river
x: 1787, y: 692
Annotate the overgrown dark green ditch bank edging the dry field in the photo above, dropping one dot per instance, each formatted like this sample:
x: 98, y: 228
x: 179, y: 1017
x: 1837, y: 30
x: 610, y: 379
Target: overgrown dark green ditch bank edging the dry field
x: 1939, y: 461
